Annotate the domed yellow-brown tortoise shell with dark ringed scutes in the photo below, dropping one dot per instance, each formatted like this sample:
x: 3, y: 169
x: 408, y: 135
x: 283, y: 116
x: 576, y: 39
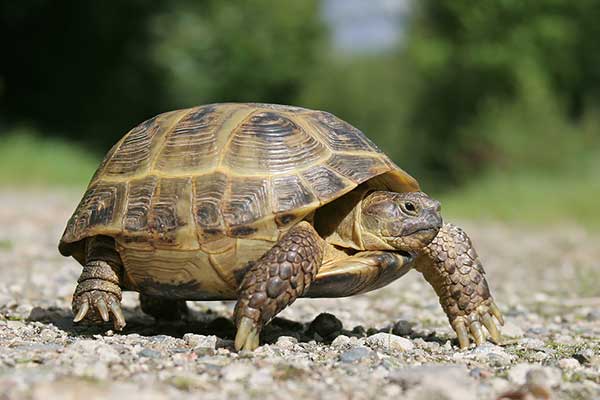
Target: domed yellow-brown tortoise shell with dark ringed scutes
x: 185, y: 178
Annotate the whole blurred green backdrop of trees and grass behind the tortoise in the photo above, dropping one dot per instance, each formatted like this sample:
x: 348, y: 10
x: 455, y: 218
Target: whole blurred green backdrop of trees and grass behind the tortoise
x: 493, y: 105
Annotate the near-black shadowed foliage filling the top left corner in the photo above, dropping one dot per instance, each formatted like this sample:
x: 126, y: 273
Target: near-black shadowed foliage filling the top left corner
x: 80, y: 68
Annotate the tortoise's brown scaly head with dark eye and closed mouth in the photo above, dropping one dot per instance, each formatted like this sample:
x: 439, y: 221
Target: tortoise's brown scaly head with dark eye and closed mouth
x: 402, y: 221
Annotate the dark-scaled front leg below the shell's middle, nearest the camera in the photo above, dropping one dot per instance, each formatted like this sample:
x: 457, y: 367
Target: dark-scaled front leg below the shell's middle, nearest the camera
x: 275, y: 281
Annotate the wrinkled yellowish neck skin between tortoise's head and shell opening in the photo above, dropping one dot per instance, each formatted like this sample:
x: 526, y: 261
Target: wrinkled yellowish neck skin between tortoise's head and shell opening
x: 350, y: 234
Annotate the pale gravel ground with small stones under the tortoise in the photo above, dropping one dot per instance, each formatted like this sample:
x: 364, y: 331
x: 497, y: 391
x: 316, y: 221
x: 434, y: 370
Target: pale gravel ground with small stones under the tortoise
x: 395, y: 342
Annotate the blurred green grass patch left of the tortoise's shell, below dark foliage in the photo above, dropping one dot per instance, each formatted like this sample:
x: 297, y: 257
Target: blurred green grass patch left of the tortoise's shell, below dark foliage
x: 28, y: 160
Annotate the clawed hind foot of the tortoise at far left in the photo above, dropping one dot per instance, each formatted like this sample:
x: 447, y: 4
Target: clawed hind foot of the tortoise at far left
x: 96, y: 306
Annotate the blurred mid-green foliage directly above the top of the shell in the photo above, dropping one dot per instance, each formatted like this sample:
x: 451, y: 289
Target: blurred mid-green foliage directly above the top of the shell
x: 259, y: 50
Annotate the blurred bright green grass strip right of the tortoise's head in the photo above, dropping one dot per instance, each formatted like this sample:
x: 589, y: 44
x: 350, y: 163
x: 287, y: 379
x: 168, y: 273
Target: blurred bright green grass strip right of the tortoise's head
x: 529, y: 197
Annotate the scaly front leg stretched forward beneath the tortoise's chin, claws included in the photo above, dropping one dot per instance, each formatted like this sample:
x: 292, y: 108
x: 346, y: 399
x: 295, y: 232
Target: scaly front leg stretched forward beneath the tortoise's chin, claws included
x: 451, y: 265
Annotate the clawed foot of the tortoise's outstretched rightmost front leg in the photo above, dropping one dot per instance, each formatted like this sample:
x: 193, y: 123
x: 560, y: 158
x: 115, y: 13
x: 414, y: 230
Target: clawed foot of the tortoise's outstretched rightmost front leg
x: 474, y: 322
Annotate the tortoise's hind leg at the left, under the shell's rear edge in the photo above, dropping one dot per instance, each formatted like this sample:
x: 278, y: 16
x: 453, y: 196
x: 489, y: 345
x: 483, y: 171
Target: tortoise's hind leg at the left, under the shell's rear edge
x: 98, y: 292
